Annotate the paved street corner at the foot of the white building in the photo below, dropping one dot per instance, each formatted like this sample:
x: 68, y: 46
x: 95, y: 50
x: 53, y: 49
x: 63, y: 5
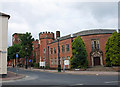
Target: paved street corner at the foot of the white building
x: 12, y: 76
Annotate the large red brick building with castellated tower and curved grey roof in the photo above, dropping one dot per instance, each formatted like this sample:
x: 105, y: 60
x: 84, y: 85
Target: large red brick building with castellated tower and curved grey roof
x: 47, y: 50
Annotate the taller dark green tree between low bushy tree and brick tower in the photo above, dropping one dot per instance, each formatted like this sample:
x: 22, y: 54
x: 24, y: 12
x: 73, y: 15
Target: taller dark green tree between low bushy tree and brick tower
x: 26, y: 44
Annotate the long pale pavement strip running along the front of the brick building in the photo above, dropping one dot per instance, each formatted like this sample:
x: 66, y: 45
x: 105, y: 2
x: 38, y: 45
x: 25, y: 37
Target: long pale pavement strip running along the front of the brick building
x: 76, y: 72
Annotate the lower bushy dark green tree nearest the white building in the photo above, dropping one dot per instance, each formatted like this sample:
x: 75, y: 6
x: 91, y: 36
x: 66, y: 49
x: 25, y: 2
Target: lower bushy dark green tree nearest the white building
x: 13, y: 50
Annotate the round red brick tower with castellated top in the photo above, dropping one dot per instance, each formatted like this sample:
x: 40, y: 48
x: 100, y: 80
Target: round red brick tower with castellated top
x: 45, y: 39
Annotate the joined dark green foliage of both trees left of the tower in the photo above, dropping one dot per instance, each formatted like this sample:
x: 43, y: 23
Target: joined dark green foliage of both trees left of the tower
x: 26, y: 42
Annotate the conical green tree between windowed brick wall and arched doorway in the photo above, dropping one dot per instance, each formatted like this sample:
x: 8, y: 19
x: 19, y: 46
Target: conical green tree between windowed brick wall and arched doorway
x: 79, y: 58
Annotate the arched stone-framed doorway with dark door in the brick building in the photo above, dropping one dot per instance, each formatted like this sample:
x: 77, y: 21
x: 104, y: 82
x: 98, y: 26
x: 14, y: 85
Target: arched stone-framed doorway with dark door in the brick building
x: 96, y: 58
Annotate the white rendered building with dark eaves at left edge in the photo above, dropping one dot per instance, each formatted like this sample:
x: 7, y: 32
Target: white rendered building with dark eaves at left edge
x: 3, y: 43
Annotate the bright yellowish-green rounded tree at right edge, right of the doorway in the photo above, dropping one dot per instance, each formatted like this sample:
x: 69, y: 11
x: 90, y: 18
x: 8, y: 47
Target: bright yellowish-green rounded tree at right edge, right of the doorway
x: 112, y: 50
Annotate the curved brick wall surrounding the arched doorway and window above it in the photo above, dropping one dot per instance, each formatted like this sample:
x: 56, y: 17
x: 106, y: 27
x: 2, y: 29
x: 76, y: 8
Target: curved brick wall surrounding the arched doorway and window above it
x: 102, y: 39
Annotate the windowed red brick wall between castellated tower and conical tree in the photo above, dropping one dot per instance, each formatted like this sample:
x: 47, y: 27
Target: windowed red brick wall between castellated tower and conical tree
x: 65, y: 54
